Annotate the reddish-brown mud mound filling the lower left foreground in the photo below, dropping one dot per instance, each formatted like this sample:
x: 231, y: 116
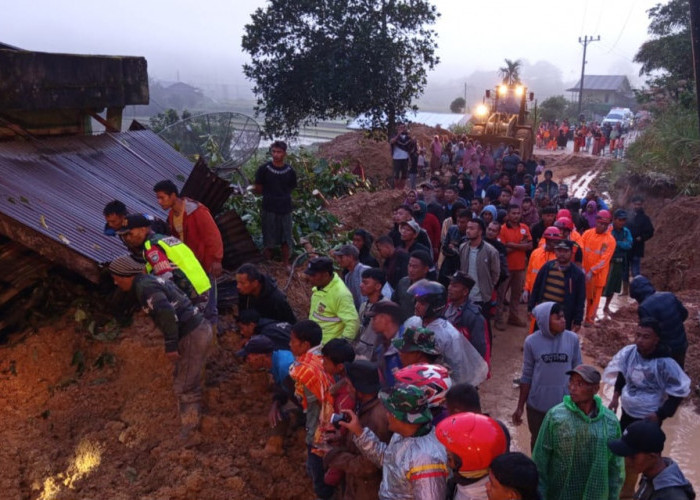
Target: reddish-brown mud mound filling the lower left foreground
x: 82, y: 417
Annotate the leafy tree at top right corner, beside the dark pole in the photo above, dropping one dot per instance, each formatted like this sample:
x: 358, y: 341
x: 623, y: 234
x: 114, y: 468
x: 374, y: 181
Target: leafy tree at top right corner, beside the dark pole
x: 667, y: 58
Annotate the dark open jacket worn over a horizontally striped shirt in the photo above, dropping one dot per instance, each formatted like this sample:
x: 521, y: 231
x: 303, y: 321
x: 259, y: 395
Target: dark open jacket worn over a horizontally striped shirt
x: 574, y: 292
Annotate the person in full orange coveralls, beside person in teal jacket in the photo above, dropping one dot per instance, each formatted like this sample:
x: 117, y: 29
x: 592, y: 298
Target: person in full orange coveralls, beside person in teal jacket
x: 598, y: 248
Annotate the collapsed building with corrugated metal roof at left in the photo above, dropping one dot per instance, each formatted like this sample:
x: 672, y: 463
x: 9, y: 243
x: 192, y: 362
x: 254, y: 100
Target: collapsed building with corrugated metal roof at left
x: 57, y: 172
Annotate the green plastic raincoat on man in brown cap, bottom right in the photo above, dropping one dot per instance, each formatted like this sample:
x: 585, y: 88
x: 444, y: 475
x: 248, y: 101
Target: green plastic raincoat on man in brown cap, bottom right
x: 572, y: 454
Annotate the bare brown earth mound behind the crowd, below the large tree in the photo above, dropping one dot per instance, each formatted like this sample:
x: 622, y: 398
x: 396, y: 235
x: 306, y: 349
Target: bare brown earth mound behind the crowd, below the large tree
x: 373, y: 155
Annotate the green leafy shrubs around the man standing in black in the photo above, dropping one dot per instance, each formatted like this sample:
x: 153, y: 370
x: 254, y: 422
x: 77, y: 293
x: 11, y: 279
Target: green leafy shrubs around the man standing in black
x: 310, y: 220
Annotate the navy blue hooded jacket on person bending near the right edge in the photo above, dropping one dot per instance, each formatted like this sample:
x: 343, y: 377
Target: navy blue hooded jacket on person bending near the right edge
x: 665, y: 308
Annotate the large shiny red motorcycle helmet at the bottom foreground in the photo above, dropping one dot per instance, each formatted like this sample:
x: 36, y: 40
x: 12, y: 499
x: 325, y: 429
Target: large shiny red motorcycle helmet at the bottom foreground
x: 475, y: 439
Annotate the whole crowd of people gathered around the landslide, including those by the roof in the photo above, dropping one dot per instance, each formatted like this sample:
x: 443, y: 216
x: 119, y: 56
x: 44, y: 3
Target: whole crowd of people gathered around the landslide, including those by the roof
x: 384, y: 369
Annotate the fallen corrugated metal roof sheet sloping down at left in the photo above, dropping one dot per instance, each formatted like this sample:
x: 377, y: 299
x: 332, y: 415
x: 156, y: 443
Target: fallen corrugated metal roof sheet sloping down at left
x: 56, y: 188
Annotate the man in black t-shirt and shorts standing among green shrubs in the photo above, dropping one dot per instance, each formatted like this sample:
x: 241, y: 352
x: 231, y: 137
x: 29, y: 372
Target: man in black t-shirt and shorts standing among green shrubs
x: 275, y: 181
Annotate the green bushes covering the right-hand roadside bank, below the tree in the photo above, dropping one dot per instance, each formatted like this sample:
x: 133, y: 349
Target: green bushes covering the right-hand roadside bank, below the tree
x: 669, y: 150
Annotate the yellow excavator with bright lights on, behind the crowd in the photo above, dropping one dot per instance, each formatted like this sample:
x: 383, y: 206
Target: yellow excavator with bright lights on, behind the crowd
x: 503, y: 118
